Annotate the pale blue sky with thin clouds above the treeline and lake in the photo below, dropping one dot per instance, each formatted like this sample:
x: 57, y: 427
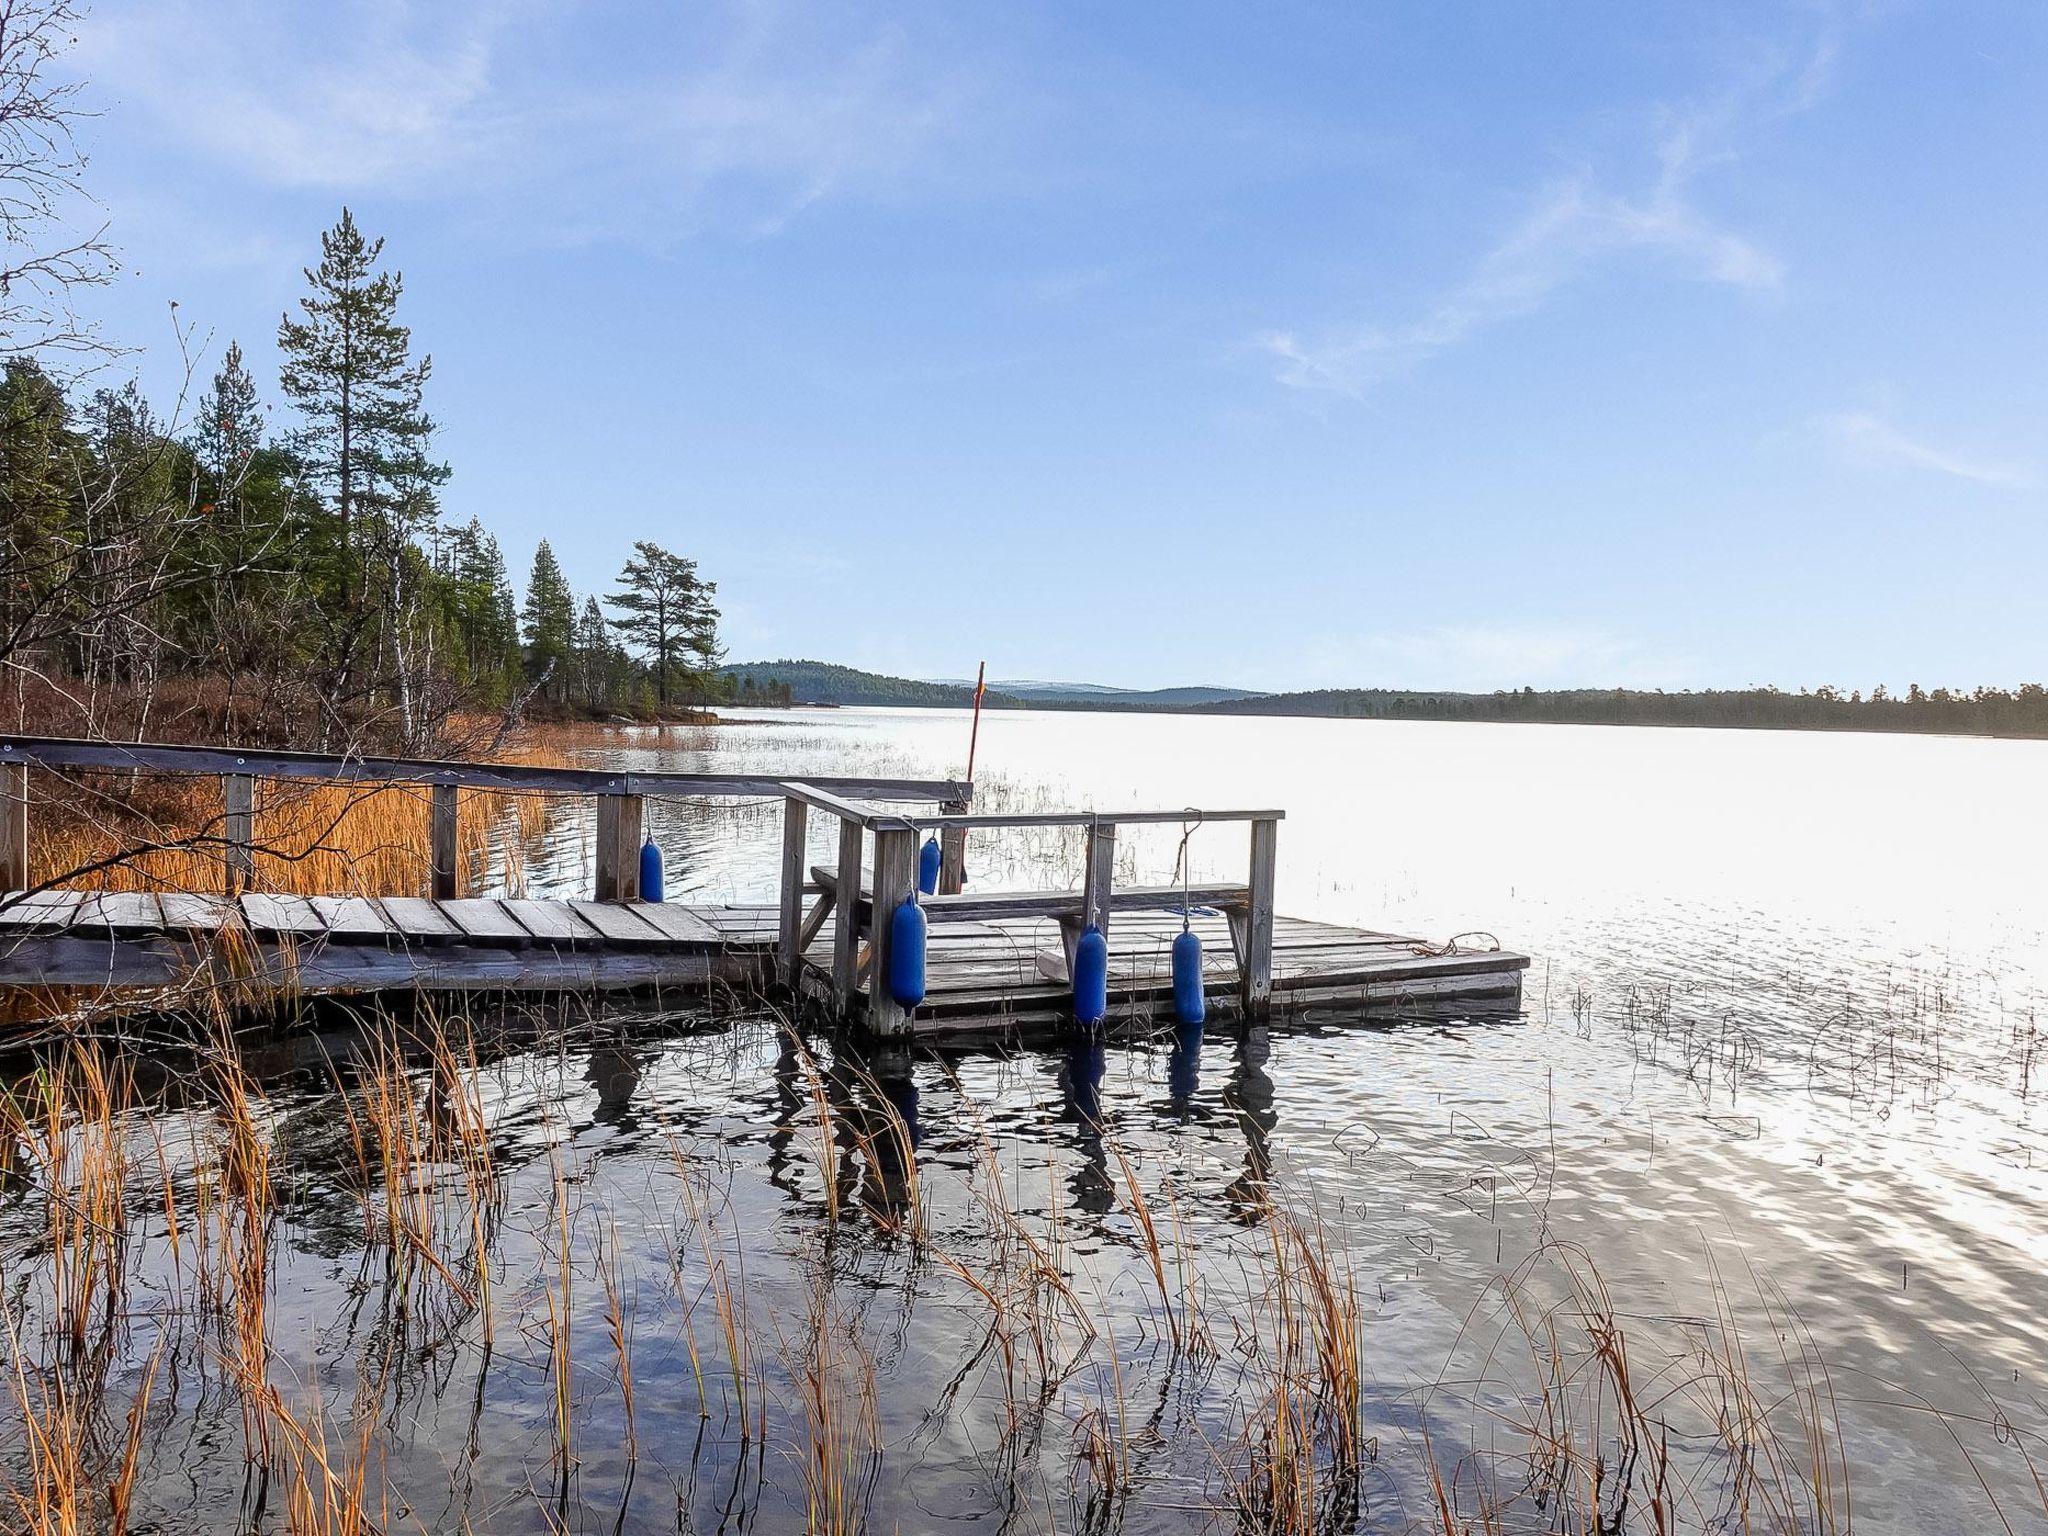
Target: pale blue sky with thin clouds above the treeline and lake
x: 1412, y: 345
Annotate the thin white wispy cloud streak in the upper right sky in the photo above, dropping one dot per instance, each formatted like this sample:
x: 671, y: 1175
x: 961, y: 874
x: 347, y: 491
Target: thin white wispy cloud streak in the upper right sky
x: 1578, y: 222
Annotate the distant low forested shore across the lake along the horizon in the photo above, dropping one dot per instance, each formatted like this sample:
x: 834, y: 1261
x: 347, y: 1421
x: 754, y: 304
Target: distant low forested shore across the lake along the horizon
x: 1918, y: 712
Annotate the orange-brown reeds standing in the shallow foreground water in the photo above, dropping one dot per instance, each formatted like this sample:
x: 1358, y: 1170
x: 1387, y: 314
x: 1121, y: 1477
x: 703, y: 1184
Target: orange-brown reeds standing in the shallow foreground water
x: 1119, y: 1345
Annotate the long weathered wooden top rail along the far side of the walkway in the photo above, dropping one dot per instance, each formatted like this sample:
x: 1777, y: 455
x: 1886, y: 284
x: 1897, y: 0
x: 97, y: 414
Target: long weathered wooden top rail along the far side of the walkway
x: 263, y: 763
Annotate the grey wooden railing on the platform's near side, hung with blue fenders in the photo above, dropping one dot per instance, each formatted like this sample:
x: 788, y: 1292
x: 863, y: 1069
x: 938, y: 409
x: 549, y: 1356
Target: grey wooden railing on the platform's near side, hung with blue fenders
x: 863, y: 908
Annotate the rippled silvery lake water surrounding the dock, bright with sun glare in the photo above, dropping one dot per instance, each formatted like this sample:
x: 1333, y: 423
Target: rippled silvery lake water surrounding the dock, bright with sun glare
x: 1766, y: 1134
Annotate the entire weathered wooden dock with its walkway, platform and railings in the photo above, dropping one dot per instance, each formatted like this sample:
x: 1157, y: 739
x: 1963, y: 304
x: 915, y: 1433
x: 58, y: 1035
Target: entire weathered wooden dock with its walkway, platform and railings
x: 996, y: 959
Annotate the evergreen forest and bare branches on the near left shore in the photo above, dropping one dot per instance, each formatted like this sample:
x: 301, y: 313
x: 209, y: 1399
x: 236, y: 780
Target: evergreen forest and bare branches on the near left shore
x: 271, y: 560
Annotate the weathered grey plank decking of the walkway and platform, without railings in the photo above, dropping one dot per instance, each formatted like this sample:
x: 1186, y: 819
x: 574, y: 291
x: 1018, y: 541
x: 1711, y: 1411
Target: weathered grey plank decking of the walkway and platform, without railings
x: 982, y: 974
